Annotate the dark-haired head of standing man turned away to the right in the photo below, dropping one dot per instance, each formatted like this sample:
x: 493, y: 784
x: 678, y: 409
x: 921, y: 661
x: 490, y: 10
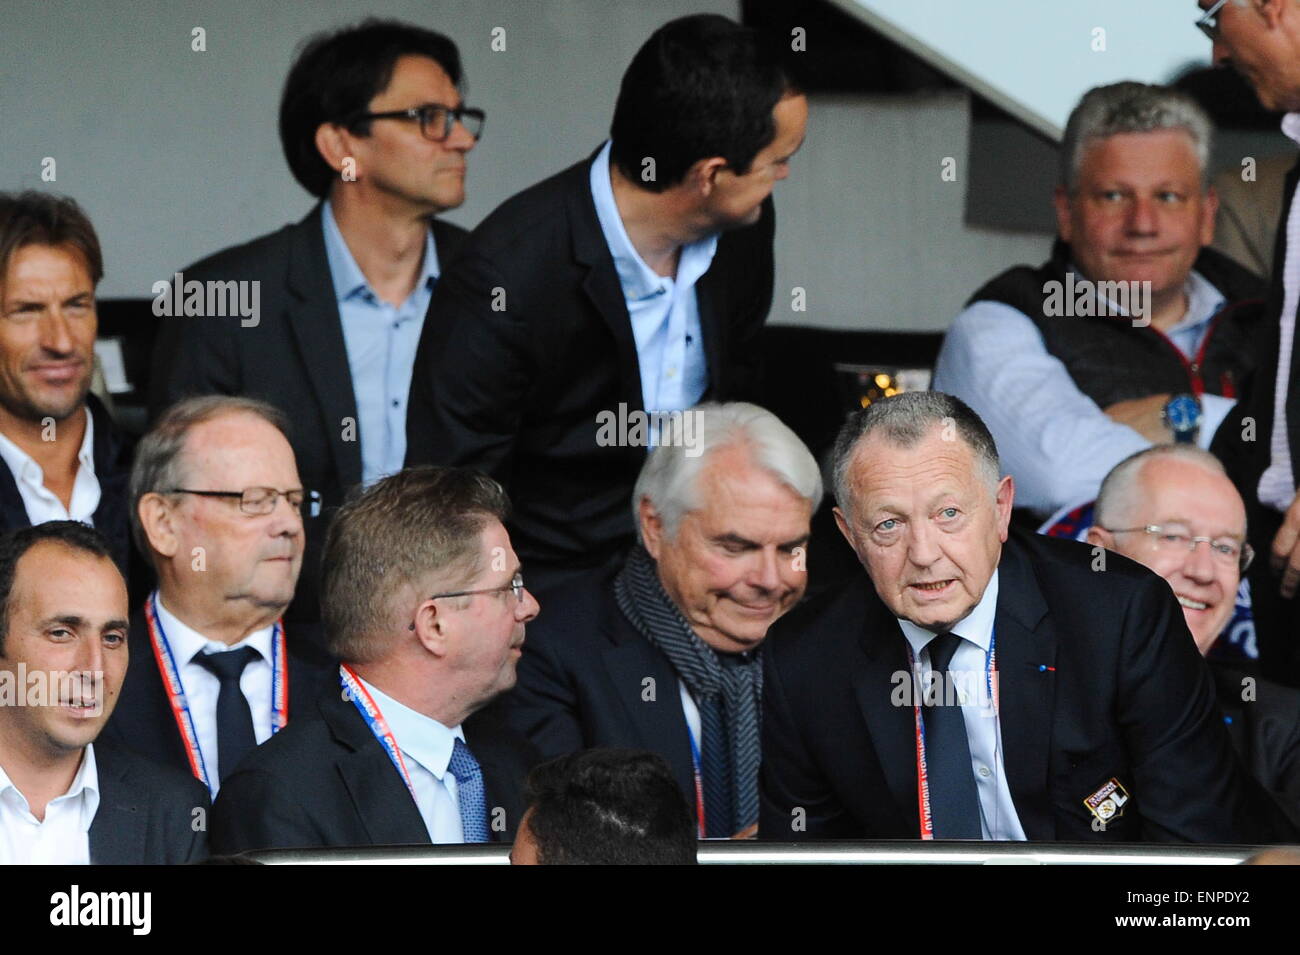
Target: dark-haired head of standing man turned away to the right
x: 707, y: 107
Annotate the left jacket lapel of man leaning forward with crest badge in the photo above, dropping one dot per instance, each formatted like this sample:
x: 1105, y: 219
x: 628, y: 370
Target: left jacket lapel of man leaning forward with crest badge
x: 894, y: 728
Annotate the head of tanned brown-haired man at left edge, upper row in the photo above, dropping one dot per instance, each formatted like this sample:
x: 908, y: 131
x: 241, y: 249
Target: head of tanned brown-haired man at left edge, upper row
x: 50, y: 264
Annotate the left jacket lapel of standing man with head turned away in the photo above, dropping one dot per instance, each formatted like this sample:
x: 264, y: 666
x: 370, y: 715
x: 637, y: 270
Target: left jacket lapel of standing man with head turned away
x: 603, y: 280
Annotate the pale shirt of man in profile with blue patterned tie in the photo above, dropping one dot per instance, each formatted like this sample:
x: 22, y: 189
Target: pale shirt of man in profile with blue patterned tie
x: 427, y: 748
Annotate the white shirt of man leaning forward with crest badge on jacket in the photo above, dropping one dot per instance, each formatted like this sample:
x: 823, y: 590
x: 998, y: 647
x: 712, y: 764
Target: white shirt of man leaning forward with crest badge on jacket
x: 999, y: 819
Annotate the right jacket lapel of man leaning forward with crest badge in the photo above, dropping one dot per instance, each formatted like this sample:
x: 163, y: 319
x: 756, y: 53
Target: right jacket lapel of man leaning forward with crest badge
x: 1026, y: 649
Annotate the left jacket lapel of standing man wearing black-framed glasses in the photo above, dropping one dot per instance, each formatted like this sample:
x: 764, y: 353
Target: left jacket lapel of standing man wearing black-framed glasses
x: 315, y: 323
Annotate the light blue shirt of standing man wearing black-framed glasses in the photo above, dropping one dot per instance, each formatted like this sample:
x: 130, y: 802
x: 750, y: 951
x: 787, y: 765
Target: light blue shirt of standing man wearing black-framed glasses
x: 382, y: 342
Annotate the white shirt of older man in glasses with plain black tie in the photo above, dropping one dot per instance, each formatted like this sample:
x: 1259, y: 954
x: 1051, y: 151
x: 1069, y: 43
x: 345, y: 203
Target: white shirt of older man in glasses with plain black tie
x: 202, y: 687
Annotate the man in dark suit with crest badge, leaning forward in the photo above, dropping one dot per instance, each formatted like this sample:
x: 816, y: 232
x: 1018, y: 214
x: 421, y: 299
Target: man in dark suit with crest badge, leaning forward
x: 983, y: 687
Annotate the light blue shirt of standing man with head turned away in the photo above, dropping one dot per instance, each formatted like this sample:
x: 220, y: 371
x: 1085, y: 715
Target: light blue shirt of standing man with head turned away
x: 664, y: 311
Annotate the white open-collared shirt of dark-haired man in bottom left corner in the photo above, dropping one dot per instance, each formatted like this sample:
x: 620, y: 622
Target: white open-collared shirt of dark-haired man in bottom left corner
x: 63, y: 836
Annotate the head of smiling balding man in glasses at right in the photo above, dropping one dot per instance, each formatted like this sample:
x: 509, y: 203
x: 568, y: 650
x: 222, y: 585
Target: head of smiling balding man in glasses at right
x: 1173, y: 509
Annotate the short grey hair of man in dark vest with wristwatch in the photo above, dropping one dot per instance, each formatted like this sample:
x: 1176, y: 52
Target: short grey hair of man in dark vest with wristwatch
x: 1108, y: 111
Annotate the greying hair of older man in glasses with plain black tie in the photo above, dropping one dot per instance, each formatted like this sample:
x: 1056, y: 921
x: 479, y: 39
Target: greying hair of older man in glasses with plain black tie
x: 159, y: 461
